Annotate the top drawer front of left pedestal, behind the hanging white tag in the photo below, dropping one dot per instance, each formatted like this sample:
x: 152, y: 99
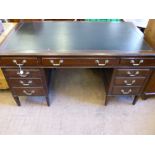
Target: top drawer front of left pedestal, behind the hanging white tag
x: 28, y: 73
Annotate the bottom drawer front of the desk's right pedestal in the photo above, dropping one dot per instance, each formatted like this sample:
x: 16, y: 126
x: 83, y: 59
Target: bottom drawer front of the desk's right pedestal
x: 125, y: 90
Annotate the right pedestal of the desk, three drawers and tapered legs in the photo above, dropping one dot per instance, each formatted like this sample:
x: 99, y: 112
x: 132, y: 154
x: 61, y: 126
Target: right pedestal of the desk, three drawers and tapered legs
x: 120, y: 83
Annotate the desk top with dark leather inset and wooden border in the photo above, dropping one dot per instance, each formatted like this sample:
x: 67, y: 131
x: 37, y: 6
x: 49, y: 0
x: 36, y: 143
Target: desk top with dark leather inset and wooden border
x: 75, y: 38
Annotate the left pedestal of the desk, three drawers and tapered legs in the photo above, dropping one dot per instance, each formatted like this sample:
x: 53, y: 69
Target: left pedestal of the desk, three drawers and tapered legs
x: 34, y: 84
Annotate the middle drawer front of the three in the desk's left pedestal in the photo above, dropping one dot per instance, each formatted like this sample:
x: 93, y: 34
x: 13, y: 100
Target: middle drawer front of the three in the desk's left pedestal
x: 26, y: 82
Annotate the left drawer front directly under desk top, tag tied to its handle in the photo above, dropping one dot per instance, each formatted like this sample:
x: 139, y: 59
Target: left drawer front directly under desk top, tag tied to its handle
x: 15, y: 61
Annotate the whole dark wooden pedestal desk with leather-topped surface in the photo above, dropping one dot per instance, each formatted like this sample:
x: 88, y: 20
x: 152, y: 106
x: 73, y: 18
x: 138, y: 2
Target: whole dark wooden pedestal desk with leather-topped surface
x: 34, y: 48
